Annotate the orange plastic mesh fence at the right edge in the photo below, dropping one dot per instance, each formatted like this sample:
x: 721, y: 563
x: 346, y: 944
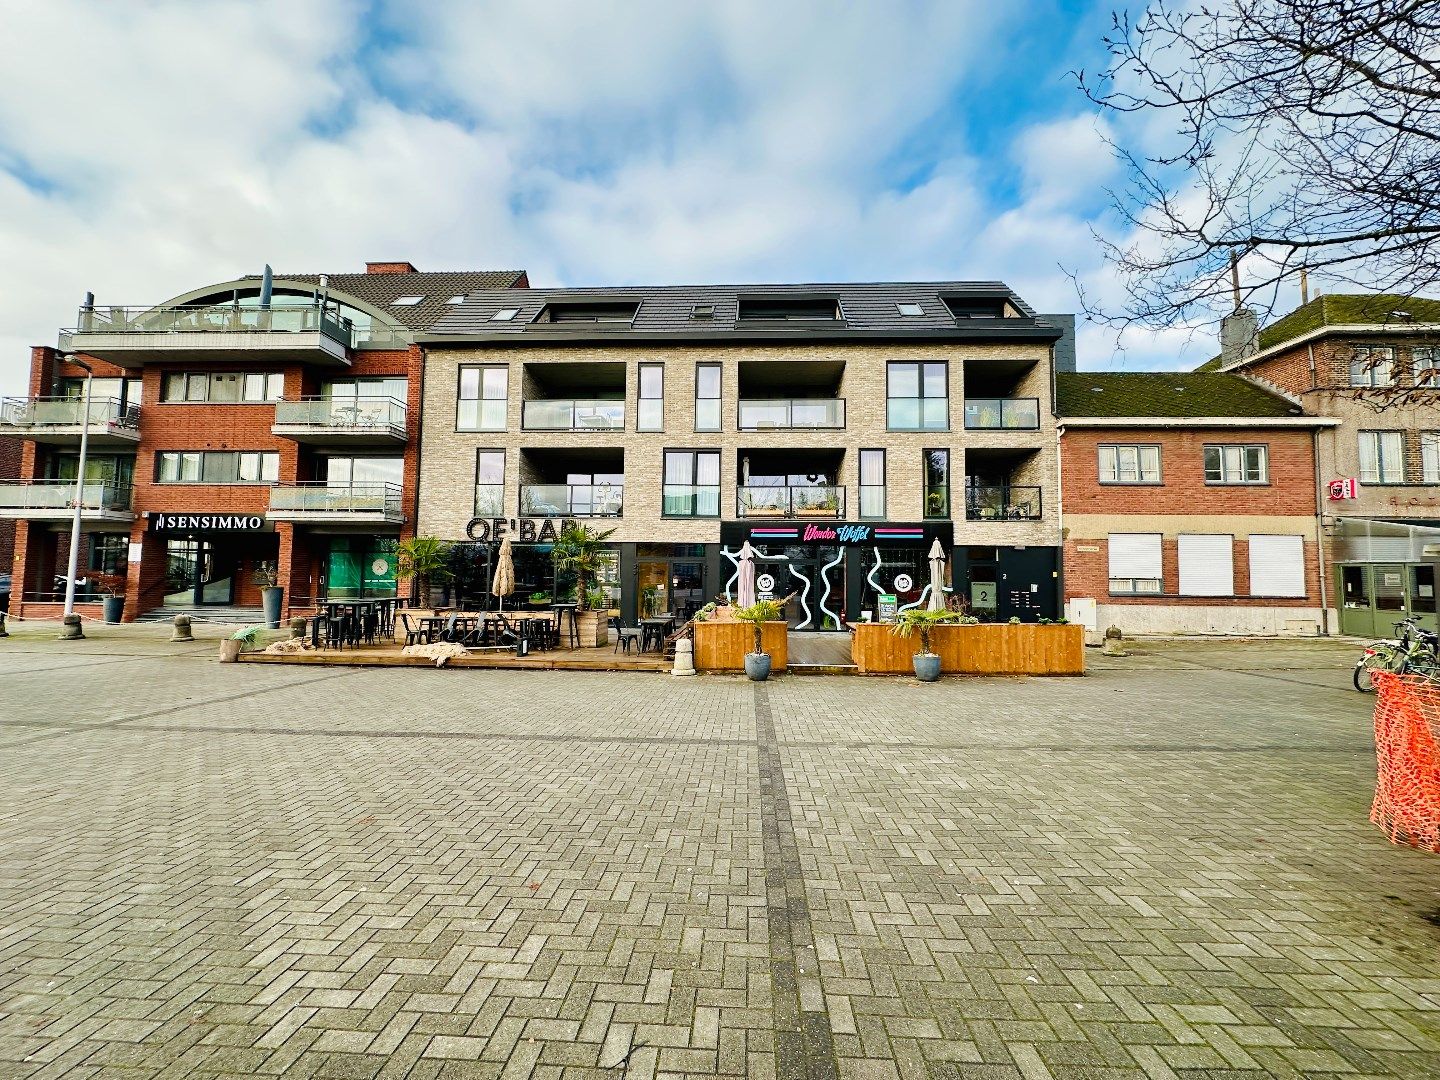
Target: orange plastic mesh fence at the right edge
x: 1408, y: 754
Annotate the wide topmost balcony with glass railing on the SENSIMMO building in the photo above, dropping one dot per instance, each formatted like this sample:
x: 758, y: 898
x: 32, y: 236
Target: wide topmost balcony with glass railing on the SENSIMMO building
x: 133, y: 336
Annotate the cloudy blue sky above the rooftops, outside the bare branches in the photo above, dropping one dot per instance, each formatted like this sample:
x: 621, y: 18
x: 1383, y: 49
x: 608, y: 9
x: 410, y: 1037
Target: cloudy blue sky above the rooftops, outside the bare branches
x: 153, y: 146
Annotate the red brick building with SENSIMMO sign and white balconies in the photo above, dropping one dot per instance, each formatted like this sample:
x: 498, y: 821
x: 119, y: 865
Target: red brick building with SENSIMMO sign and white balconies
x: 254, y: 428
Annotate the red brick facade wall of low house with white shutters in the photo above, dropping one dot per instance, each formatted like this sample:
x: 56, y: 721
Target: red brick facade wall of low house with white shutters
x: 1183, y: 493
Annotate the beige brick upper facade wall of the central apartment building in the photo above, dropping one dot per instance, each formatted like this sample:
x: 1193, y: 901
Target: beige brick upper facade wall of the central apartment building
x: 449, y: 457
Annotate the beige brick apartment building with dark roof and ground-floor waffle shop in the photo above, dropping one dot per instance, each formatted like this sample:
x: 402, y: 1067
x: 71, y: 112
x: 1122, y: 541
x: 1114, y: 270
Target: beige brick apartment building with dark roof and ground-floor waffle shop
x: 840, y: 430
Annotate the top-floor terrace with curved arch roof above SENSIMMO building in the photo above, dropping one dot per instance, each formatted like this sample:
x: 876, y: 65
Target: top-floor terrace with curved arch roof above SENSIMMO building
x: 299, y: 325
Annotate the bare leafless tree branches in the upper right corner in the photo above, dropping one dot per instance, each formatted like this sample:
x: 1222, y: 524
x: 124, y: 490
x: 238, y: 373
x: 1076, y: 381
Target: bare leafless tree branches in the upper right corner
x: 1294, y: 133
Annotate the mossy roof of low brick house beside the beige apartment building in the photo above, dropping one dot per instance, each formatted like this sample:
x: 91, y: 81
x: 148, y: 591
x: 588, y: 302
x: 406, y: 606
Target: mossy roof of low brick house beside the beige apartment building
x: 1164, y: 394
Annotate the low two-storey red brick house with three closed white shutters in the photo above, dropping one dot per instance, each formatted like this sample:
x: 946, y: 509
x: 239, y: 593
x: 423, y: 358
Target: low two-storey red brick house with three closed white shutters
x: 1190, y: 505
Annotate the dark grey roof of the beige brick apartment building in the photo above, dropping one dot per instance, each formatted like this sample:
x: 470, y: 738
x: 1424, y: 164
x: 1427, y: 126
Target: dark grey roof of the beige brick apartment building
x: 666, y: 313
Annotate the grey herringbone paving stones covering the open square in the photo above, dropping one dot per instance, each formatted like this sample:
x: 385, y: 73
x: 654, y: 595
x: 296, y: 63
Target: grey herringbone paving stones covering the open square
x: 1161, y: 870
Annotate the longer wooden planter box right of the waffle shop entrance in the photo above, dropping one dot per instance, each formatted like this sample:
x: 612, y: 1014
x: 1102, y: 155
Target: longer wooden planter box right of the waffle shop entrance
x: 977, y: 650
